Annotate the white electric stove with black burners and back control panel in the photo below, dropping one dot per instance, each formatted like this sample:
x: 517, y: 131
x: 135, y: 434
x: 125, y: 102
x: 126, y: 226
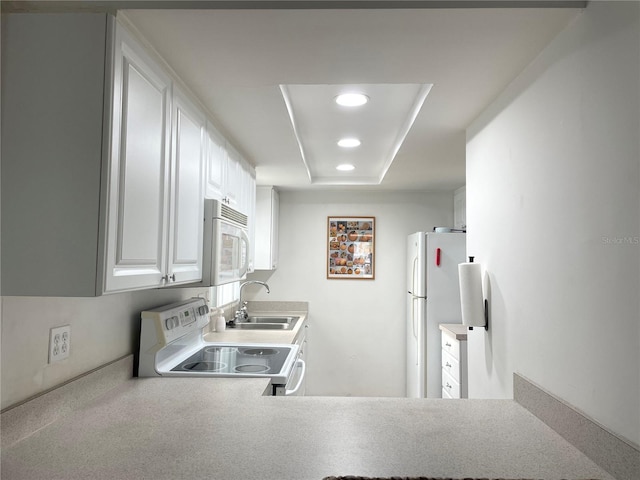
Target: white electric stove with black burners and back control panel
x: 172, y: 344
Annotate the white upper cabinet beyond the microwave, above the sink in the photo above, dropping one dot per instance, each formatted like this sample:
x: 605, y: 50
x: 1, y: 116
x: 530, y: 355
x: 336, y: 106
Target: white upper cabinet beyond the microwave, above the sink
x: 267, y: 217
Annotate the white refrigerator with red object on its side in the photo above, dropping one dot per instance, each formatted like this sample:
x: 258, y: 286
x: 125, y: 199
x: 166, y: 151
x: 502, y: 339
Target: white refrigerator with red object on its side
x: 433, y: 297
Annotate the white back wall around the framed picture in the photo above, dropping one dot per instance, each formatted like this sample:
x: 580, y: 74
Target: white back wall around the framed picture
x: 357, y: 333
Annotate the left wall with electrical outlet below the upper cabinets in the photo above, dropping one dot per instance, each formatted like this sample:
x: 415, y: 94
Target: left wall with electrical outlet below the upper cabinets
x: 103, y: 329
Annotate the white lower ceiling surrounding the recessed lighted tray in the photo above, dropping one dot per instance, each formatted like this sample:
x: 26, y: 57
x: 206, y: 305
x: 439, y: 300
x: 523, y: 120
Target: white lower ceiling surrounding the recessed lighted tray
x: 235, y: 61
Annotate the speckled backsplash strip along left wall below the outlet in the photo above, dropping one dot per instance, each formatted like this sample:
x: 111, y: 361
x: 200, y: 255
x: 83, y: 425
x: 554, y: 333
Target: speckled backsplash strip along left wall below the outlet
x: 23, y: 420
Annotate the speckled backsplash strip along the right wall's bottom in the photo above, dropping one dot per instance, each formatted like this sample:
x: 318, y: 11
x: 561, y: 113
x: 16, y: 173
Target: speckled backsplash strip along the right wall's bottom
x: 618, y: 456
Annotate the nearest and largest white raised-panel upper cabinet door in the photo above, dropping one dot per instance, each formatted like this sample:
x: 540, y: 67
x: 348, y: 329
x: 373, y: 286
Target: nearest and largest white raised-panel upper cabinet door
x: 138, y: 170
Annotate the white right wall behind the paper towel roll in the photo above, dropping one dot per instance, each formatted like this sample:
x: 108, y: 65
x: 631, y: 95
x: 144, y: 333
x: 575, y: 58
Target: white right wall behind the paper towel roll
x: 553, y: 215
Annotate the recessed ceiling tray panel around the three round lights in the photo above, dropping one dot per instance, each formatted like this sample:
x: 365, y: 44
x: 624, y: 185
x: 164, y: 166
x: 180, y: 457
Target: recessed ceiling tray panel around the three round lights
x: 381, y: 125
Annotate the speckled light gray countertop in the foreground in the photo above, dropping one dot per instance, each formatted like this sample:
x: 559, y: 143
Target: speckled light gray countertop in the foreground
x: 224, y: 429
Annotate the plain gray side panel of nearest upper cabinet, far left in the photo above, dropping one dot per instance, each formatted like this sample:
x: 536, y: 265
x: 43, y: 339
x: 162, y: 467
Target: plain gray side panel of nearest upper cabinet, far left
x: 53, y: 154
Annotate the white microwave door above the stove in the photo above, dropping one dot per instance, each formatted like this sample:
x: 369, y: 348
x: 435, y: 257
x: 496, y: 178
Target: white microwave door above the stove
x: 230, y: 252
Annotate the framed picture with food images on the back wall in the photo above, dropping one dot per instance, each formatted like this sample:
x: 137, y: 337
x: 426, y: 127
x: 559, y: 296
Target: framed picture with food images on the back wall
x: 350, y: 248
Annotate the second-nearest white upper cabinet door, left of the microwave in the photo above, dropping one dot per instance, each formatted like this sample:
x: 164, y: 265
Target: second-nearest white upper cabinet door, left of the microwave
x: 187, y: 192
